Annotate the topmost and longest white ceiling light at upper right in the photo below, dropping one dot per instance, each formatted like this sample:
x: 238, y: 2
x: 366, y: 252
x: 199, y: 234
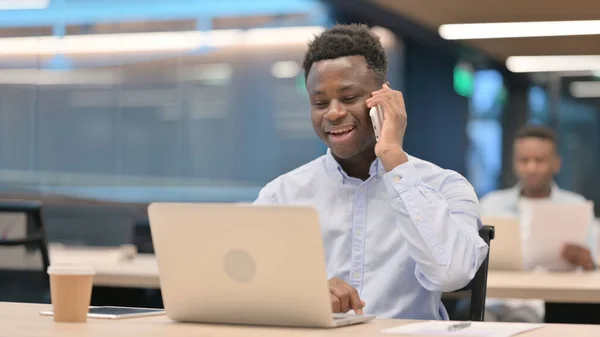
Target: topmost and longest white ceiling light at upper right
x: 518, y: 29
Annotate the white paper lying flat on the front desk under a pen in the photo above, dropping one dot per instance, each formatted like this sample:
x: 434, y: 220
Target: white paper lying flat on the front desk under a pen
x: 484, y: 329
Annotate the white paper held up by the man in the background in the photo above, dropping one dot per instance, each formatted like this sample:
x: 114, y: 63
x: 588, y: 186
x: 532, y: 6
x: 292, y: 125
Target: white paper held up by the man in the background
x: 548, y: 227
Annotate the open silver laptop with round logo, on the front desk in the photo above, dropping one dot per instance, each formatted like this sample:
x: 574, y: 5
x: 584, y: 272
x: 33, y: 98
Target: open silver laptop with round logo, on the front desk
x: 243, y: 264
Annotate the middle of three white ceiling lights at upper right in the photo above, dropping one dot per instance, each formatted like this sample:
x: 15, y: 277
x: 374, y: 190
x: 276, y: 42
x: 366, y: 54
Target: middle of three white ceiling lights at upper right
x: 530, y: 64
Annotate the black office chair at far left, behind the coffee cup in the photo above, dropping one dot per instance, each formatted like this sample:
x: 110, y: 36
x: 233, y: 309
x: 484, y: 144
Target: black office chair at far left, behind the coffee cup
x: 35, y: 238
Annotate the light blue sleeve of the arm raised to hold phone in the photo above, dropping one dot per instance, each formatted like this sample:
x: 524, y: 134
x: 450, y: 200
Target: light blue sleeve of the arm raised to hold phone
x: 443, y: 234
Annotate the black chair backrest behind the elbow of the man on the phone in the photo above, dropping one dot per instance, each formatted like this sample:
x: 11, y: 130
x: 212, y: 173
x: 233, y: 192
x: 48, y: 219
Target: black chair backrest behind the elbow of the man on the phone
x: 478, y: 285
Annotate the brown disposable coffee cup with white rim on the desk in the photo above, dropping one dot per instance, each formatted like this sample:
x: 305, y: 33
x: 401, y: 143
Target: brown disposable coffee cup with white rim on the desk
x: 71, y: 291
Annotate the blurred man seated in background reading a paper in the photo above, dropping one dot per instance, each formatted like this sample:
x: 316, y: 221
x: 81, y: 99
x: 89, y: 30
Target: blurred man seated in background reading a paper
x: 535, y: 163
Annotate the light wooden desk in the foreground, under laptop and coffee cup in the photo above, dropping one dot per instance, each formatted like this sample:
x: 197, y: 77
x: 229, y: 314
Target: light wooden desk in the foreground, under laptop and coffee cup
x: 21, y: 320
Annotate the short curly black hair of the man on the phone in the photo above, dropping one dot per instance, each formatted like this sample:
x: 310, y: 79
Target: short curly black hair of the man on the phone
x: 347, y: 40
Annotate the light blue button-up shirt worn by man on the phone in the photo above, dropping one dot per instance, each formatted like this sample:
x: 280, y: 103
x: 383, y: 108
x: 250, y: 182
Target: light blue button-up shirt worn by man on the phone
x: 400, y: 238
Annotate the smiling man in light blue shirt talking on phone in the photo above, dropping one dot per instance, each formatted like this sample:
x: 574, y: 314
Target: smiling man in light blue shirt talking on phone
x: 398, y: 231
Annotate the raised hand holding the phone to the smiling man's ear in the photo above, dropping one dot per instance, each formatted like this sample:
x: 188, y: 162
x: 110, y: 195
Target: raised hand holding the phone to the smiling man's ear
x: 389, y: 148
